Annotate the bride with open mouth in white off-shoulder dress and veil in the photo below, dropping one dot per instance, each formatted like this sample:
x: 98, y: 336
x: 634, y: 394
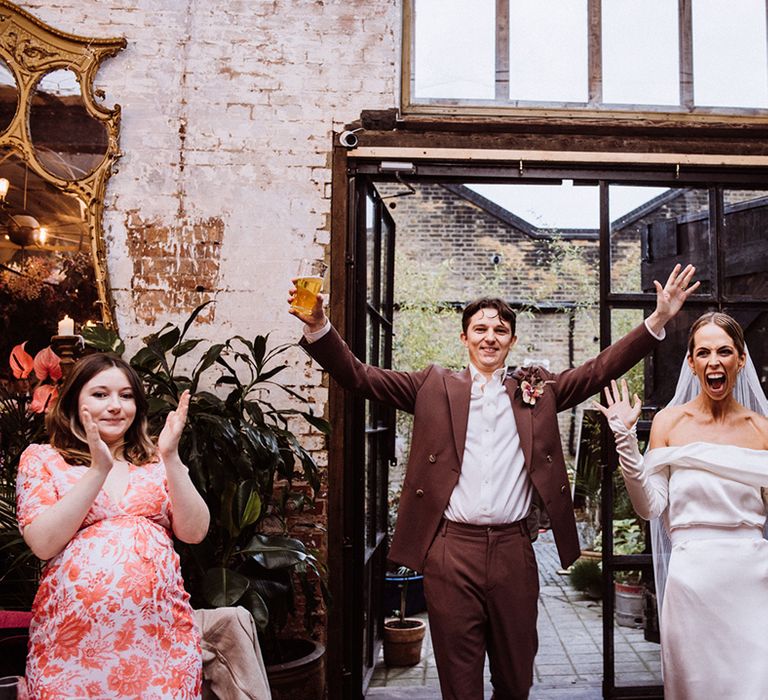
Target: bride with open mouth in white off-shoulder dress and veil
x: 702, y: 478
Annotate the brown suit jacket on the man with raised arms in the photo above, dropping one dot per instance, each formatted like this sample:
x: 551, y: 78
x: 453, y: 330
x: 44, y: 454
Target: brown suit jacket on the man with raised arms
x: 439, y: 399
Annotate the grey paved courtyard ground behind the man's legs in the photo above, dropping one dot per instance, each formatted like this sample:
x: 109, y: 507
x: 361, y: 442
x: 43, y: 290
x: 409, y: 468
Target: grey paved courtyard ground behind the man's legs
x: 569, y: 663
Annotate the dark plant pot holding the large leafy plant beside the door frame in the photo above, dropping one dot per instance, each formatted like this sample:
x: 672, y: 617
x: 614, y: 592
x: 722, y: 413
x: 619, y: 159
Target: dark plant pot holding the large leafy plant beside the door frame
x: 300, y: 679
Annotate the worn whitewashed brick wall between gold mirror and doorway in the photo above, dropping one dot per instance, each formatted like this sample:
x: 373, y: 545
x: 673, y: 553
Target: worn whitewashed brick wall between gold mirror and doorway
x: 228, y: 113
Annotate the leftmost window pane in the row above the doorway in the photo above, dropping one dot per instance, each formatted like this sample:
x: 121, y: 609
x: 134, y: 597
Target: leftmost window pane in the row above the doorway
x: 454, y: 46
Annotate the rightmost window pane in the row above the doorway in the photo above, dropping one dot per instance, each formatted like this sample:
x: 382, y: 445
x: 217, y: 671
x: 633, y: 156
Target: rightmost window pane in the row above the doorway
x: 729, y: 53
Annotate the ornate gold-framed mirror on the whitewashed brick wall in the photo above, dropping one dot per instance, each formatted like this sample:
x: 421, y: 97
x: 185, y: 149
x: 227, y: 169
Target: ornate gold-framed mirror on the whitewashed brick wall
x: 57, y: 147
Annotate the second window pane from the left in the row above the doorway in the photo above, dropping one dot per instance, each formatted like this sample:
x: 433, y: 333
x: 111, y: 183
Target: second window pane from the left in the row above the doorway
x: 548, y: 50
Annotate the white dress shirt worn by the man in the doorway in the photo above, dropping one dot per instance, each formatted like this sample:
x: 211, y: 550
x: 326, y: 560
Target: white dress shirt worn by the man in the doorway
x: 493, y: 486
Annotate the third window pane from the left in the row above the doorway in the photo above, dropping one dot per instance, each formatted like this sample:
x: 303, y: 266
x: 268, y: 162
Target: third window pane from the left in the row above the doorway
x: 645, y: 68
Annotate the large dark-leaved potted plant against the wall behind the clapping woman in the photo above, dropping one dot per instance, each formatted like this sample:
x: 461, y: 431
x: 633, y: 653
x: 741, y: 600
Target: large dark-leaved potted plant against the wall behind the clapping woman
x: 244, y: 458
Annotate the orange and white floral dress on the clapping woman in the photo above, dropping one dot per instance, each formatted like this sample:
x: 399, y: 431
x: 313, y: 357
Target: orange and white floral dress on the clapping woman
x: 111, y: 618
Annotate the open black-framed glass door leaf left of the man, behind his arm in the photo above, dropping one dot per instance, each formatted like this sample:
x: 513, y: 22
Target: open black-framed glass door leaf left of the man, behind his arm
x: 371, y: 426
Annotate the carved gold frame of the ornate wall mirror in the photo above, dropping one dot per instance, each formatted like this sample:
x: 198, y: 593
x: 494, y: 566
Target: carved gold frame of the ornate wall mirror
x: 31, y: 48
